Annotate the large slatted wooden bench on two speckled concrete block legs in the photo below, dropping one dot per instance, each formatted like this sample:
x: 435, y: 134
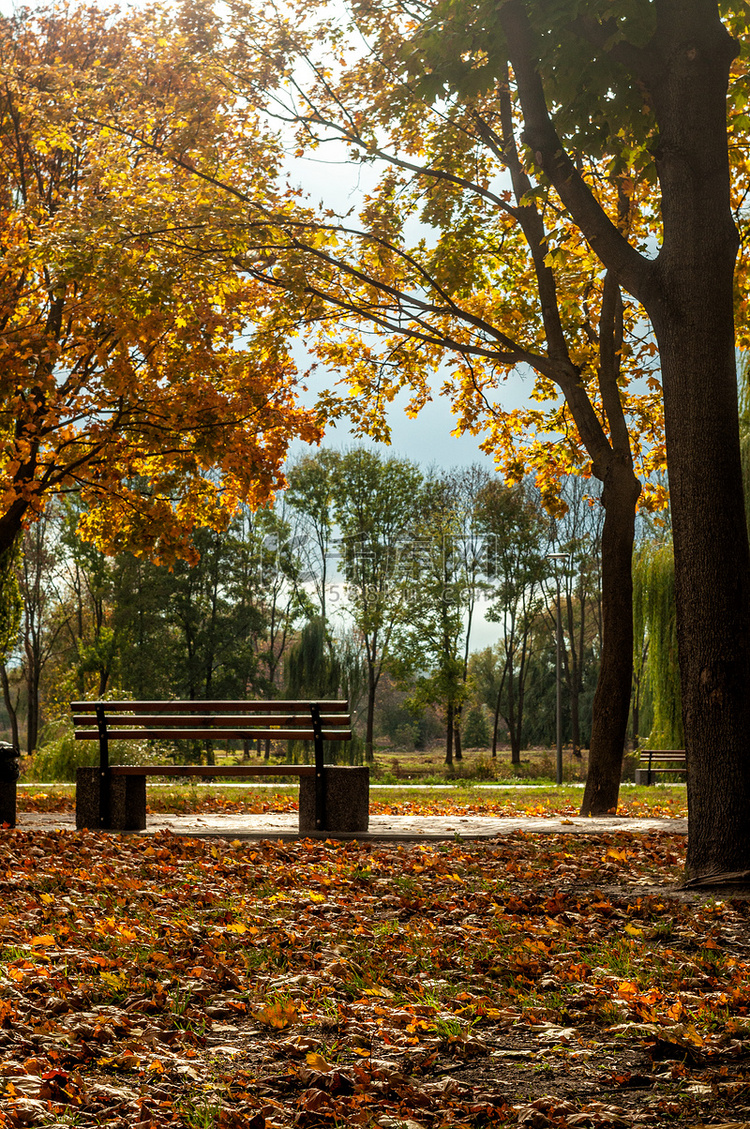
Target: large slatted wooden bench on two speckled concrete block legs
x: 114, y: 797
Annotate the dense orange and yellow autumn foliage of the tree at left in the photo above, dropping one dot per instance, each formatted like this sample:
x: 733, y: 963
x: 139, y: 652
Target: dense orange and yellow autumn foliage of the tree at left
x: 138, y: 366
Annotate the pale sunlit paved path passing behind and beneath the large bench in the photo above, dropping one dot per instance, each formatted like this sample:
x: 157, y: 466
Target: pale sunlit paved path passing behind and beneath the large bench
x: 382, y: 828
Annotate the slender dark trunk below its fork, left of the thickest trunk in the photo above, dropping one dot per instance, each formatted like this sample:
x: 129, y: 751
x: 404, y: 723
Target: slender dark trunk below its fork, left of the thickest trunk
x: 613, y: 697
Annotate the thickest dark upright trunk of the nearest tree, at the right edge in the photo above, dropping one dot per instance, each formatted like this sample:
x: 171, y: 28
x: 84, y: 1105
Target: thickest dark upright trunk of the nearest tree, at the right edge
x: 693, y: 316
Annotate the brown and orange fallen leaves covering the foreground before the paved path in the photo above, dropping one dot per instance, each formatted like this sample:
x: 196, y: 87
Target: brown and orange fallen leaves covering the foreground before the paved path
x: 535, y: 982
